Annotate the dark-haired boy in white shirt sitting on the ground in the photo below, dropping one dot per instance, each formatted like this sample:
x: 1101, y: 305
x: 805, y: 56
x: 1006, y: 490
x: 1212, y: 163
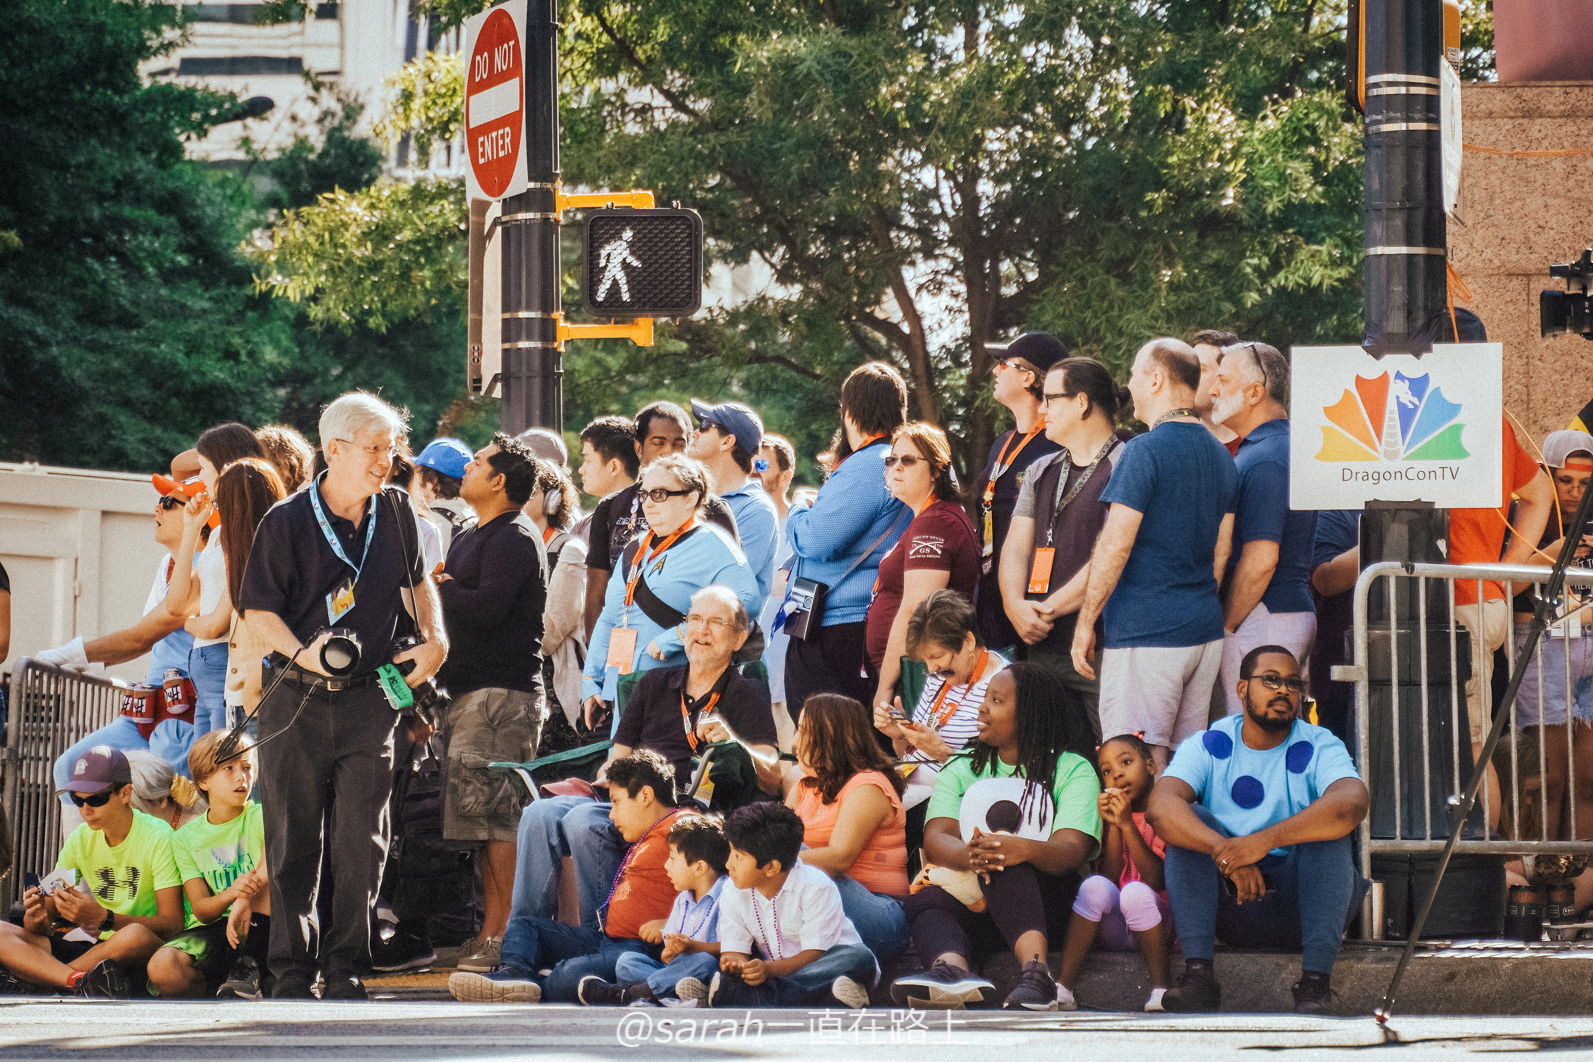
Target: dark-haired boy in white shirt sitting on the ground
x: 785, y: 940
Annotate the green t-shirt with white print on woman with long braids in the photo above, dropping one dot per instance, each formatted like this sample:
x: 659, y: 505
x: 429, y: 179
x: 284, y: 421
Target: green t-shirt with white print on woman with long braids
x: 1001, y: 802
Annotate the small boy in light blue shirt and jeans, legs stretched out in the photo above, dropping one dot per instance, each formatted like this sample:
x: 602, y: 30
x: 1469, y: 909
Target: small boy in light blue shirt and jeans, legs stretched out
x: 691, y: 934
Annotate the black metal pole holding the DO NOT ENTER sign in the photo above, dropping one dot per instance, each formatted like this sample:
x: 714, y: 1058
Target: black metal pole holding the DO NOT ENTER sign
x: 533, y: 365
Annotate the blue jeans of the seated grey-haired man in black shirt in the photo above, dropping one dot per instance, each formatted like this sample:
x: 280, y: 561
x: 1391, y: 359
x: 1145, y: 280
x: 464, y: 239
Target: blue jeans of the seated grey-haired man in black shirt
x: 552, y: 829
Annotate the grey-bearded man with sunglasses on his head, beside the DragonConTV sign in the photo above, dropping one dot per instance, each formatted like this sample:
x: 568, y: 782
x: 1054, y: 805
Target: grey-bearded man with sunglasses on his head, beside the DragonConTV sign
x: 1267, y: 590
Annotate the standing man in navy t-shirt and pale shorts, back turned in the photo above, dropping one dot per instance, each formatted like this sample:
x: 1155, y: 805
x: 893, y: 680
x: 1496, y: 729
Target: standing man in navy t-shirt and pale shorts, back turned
x: 1156, y: 564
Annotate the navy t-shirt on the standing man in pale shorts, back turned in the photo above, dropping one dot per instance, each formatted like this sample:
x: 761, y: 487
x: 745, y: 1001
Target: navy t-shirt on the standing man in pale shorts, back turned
x: 1183, y: 483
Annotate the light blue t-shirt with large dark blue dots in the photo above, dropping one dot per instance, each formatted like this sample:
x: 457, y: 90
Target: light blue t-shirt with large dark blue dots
x: 1250, y: 791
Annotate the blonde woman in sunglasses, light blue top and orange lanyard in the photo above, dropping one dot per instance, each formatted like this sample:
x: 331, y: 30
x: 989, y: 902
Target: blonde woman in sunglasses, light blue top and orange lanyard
x: 649, y: 598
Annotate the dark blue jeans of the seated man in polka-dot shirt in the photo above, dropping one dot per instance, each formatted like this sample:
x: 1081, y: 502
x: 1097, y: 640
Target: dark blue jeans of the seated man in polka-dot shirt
x: 1315, y: 888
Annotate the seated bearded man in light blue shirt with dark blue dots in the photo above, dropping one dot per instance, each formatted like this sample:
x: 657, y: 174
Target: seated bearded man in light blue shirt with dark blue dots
x: 1258, y: 814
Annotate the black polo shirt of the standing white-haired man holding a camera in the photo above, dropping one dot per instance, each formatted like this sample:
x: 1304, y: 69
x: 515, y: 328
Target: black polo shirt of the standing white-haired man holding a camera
x: 292, y: 569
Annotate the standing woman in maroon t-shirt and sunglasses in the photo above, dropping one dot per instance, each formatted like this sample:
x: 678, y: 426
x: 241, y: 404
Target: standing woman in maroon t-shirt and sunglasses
x: 939, y: 549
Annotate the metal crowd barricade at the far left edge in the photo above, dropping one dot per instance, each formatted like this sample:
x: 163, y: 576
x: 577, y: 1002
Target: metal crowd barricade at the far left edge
x: 52, y: 711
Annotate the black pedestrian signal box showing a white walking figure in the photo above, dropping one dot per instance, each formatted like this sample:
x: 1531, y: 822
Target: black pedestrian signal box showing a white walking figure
x: 643, y: 264
